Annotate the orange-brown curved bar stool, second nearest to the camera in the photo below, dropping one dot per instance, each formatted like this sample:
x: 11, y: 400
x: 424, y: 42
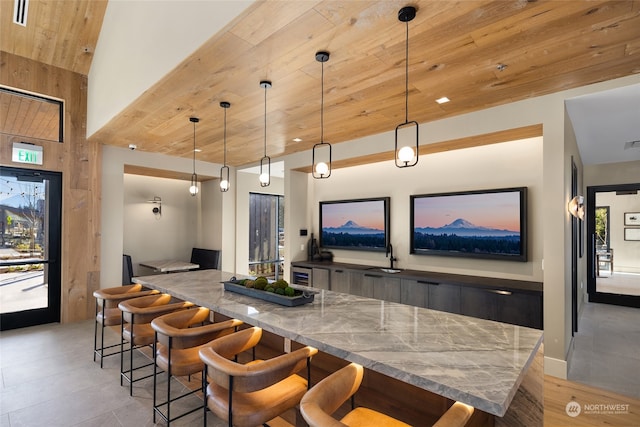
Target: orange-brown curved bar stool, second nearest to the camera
x: 251, y: 394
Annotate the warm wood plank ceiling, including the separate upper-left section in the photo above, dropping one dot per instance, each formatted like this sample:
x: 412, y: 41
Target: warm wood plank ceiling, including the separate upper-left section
x: 456, y: 49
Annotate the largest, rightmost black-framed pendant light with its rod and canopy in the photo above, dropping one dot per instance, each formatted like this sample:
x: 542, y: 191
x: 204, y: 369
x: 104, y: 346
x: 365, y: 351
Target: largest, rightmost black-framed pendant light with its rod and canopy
x: 407, y: 154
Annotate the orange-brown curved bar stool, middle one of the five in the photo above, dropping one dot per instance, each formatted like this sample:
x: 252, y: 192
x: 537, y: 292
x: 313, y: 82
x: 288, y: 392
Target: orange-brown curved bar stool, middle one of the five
x: 179, y: 337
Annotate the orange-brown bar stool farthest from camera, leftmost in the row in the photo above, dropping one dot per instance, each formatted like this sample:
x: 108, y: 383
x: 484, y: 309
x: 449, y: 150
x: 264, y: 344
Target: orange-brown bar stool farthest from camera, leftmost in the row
x: 108, y: 313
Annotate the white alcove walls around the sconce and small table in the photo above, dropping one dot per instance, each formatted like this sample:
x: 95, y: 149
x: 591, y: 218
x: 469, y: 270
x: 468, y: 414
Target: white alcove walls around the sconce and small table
x: 113, y: 213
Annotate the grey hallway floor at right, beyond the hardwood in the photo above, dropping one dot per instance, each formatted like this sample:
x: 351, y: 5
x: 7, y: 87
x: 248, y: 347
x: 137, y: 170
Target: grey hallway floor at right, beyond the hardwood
x: 607, y: 349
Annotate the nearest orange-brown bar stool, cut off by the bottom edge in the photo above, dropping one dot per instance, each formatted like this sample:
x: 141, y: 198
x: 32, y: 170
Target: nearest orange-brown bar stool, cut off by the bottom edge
x: 328, y: 395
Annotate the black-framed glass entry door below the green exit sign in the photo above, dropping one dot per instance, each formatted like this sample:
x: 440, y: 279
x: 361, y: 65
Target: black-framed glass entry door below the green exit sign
x: 30, y: 236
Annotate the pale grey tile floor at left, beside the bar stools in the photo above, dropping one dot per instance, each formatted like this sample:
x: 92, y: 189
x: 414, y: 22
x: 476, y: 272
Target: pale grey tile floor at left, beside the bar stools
x: 49, y: 378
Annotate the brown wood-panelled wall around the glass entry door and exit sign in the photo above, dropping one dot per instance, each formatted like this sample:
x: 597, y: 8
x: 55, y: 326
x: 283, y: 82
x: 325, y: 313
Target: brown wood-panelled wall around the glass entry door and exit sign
x: 80, y: 164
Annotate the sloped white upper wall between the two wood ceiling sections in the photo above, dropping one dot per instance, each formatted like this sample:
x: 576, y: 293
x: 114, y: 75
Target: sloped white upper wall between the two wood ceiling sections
x: 157, y: 49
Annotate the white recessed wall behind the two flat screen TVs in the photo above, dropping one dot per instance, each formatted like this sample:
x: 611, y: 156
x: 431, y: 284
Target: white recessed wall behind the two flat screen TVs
x: 511, y: 164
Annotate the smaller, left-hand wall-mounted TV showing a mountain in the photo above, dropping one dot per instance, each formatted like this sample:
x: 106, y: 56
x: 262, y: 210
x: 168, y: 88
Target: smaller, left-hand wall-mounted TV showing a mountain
x: 361, y: 224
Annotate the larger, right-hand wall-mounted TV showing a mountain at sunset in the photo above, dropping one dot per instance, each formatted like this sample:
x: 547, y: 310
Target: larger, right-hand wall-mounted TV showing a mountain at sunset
x: 488, y: 224
